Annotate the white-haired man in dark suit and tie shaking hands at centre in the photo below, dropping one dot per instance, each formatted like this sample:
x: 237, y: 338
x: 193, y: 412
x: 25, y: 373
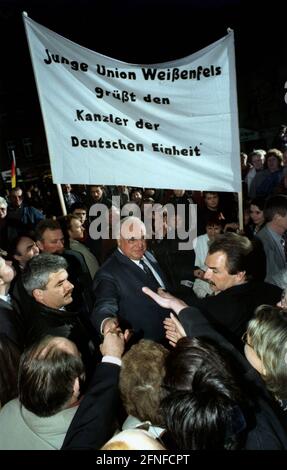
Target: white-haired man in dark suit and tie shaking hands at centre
x: 118, y: 286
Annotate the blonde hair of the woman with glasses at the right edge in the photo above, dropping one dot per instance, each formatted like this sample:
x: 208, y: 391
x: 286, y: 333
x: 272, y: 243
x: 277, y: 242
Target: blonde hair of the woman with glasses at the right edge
x: 267, y: 334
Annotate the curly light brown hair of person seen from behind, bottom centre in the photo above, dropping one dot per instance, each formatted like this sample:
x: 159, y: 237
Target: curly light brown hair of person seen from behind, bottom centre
x: 141, y: 378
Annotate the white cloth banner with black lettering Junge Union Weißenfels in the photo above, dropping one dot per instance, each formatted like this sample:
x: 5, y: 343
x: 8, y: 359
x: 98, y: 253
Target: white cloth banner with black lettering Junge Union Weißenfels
x: 169, y: 125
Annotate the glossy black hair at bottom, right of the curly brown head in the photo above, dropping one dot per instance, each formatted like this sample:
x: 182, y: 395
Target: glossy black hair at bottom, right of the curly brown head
x: 202, y: 409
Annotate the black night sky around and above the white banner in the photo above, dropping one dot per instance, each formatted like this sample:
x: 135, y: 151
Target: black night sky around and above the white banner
x: 144, y: 31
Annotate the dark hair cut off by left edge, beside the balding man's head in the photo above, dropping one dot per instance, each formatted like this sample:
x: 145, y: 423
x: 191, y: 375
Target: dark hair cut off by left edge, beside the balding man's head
x: 9, y: 364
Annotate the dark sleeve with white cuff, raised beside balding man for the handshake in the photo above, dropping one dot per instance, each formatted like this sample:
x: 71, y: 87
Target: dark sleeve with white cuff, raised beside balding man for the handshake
x: 95, y: 420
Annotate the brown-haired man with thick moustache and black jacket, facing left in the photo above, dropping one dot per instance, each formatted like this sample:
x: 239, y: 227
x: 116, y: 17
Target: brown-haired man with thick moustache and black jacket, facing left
x: 231, y: 262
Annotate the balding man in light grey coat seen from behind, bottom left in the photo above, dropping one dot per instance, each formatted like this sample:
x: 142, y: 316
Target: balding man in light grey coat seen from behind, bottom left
x: 49, y: 388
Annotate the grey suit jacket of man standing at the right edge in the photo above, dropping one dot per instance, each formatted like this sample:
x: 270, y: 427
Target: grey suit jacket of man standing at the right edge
x: 275, y: 260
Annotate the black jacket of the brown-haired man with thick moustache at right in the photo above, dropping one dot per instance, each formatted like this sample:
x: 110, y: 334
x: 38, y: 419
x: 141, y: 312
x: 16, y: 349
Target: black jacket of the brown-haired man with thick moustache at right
x: 231, y: 309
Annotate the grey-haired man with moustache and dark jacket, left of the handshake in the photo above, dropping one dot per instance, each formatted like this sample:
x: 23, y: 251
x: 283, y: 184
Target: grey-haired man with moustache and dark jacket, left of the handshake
x: 45, y: 280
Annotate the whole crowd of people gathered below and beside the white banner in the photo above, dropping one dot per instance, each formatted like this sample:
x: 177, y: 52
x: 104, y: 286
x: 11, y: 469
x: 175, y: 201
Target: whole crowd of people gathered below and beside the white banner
x: 115, y: 336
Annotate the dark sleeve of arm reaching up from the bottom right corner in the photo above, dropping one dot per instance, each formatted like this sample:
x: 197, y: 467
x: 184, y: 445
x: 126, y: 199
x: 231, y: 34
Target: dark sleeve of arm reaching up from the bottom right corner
x: 267, y: 428
